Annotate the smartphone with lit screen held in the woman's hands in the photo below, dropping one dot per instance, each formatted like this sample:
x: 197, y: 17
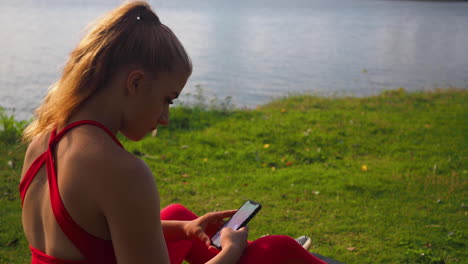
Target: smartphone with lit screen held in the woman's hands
x: 245, y: 213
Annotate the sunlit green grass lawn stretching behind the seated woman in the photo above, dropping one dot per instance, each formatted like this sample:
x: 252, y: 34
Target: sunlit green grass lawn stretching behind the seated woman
x: 302, y: 158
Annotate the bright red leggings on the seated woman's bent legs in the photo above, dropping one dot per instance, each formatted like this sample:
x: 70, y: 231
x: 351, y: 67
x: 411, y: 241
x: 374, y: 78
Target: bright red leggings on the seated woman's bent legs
x: 267, y: 249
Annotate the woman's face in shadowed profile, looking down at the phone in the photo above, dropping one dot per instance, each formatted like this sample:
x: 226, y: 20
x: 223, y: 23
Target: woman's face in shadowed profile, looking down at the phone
x: 149, y: 103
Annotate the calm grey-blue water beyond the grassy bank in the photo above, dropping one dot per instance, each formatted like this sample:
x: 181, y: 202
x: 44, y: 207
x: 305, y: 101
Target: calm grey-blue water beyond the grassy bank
x: 256, y: 50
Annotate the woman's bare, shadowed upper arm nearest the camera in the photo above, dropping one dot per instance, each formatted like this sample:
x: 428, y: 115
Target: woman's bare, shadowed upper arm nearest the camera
x: 130, y: 203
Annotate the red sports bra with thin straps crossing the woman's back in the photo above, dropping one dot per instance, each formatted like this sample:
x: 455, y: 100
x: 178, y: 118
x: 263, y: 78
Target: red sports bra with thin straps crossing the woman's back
x: 94, y: 249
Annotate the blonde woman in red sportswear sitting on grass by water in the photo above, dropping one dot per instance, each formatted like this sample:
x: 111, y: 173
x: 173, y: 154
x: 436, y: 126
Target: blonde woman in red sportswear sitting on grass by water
x: 87, y: 200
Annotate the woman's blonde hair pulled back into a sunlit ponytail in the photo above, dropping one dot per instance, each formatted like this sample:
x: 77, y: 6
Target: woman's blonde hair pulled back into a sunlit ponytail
x: 128, y: 35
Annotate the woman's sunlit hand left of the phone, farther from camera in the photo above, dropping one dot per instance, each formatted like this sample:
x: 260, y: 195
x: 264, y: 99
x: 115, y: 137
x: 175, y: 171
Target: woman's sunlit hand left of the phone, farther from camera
x: 195, y: 229
